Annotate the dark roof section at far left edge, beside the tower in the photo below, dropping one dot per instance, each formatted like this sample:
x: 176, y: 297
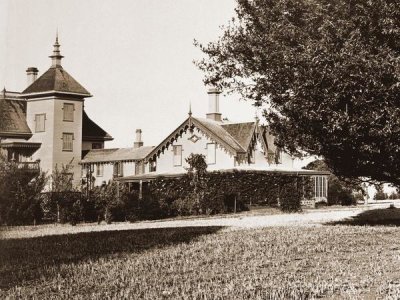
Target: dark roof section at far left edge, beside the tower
x: 13, y: 117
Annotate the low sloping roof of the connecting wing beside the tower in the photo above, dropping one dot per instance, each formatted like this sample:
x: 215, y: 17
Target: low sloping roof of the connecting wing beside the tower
x: 116, y: 154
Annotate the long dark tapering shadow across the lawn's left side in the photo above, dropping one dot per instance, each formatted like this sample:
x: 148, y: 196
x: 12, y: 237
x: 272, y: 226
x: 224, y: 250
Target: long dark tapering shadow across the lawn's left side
x: 23, y: 260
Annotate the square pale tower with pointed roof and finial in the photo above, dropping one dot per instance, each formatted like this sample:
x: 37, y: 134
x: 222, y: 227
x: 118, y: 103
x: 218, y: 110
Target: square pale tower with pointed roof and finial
x: 54, y: 114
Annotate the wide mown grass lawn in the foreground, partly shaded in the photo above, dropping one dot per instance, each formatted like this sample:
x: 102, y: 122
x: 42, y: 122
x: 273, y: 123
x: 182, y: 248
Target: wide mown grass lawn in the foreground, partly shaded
x: 206, y: 263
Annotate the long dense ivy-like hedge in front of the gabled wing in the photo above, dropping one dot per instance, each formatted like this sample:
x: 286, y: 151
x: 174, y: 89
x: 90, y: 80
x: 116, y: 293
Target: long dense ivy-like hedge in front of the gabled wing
x: 217, y: 192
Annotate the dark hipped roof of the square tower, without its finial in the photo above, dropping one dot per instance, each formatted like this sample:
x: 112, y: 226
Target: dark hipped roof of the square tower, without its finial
x: 56, y: 79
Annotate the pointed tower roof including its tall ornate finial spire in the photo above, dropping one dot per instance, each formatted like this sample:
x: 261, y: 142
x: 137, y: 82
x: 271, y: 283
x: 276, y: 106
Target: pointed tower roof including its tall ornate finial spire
x: 56, y: 80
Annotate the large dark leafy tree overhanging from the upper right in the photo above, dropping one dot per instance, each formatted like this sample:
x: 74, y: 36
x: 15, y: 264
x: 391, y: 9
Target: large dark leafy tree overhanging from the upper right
x: 328, y: 72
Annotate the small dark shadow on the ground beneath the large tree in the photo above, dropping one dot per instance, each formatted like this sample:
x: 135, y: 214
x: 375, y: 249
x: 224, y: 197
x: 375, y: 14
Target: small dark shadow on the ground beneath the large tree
x: 373, y: 217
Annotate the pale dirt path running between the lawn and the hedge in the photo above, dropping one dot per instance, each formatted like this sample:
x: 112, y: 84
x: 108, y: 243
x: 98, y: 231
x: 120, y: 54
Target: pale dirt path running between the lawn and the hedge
x: 307, y: 218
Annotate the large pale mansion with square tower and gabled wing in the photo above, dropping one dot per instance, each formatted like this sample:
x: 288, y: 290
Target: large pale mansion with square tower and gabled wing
x: 45, y: 126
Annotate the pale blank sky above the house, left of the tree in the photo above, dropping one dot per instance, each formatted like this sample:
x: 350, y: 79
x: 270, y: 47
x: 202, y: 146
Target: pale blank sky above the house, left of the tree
x: 134, y: 56
